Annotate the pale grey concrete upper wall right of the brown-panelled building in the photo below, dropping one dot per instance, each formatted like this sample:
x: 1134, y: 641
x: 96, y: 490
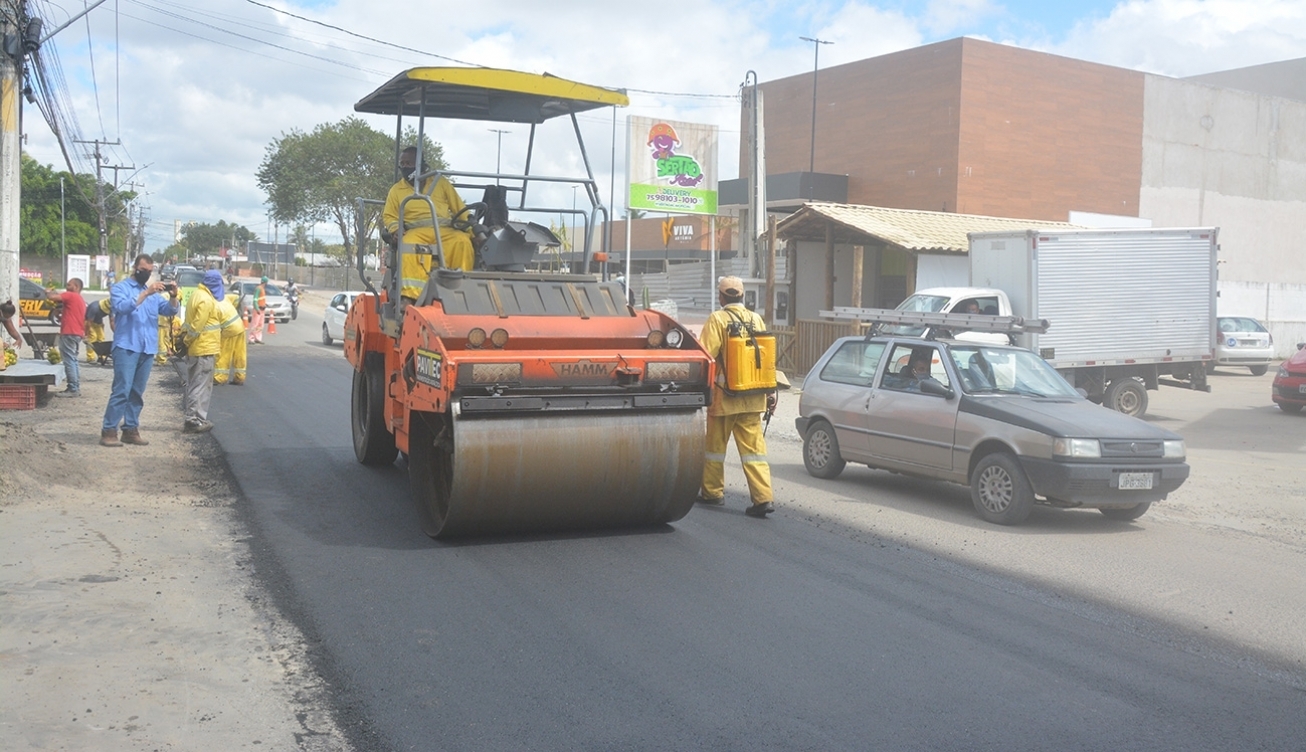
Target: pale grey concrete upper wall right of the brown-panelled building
x: 1234, y: 160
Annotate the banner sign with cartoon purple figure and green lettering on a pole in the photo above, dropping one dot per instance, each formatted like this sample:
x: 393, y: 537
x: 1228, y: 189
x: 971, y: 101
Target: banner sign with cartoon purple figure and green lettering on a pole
x: 672, y: 166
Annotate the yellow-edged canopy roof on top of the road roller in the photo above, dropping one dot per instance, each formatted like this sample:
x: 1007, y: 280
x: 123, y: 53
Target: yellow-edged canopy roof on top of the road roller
x: 486, y: 95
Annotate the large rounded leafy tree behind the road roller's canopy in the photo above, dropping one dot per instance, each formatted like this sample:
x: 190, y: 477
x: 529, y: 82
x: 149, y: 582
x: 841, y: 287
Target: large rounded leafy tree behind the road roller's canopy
x: 317, y: 177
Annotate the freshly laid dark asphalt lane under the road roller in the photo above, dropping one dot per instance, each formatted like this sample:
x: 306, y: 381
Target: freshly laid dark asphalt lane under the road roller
x: 719, y: 633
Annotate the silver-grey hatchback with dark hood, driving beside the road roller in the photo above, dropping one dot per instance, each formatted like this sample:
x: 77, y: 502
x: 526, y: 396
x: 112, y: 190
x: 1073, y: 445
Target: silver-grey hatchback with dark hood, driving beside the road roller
x: 996, y: 418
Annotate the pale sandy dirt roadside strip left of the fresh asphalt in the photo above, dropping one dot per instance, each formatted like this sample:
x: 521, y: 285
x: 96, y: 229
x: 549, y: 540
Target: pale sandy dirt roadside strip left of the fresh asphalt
x: 129, y: 616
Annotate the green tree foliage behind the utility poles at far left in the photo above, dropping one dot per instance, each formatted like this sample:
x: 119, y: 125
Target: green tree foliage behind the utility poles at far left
x: 40, y: 213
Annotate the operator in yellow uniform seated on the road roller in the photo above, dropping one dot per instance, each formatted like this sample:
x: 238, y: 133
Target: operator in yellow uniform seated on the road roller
x: 420, y: 229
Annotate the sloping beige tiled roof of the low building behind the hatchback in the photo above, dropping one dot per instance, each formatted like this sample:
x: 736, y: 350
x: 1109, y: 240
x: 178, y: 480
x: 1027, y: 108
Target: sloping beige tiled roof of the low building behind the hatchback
x: 908, y: 229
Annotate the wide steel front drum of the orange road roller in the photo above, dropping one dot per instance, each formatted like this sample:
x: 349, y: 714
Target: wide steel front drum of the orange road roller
x: 567, y: 471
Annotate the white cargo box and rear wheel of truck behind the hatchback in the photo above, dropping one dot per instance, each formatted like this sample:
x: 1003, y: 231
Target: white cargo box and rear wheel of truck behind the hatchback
x: 1128, y: 310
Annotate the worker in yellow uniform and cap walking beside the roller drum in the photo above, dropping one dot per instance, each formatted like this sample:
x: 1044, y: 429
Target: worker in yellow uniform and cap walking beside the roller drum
x: 735, y: 416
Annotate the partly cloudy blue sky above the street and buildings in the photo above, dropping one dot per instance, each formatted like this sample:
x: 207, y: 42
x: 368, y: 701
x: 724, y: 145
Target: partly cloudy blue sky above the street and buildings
x: 197, y: 91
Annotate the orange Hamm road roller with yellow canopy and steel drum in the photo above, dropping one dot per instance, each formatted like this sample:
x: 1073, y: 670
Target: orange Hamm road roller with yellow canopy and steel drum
x: 524, y: 396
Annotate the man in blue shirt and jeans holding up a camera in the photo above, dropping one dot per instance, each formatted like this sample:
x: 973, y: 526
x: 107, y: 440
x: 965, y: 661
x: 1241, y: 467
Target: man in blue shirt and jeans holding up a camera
x: 136, y: 307
